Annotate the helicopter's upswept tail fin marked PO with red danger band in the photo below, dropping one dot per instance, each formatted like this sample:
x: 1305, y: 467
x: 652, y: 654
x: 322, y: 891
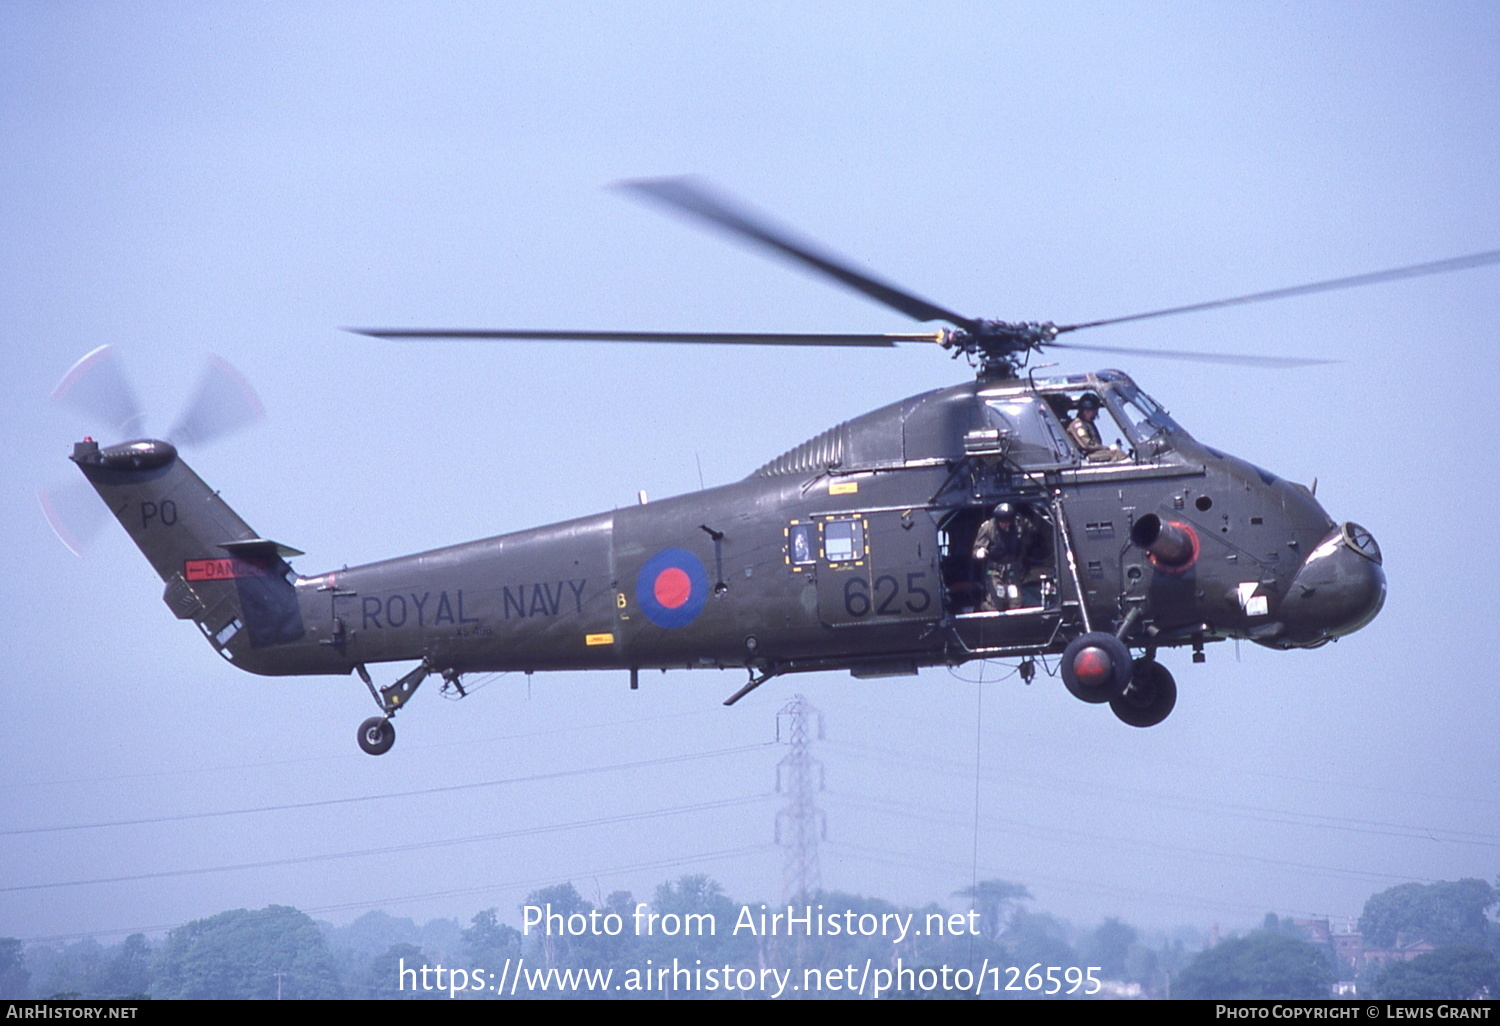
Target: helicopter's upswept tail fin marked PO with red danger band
x: 236, y: 586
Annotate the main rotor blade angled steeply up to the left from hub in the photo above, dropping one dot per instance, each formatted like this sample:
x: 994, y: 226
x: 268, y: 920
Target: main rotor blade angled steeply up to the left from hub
x: 697, y: 199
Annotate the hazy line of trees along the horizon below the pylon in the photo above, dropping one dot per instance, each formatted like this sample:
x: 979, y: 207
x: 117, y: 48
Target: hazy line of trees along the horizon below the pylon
x: 280, y: 952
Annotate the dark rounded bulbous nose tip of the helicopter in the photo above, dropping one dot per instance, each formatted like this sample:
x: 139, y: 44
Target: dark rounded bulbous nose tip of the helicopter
x: 1337, y: 590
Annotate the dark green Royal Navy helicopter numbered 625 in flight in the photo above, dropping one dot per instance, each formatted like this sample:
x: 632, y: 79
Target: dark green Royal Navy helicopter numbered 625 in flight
x: 979, y: 521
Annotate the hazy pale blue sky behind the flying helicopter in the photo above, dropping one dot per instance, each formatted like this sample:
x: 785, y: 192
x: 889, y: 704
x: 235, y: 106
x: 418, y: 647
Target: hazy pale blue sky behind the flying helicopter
x: 182, y: 181
